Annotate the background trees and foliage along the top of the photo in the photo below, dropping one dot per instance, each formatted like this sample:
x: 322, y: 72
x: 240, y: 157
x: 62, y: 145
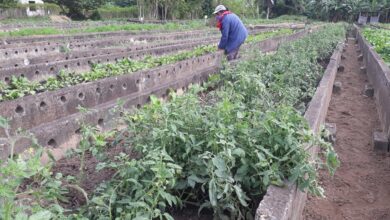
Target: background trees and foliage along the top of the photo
x: 329, y: 10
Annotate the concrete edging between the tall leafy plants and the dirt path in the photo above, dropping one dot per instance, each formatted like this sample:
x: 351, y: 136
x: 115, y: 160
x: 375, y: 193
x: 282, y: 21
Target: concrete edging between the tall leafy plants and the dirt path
x: 287, y: 203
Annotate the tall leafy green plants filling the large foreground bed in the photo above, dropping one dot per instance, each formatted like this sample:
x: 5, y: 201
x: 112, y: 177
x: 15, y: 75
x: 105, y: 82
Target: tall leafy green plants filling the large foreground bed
x: 215, y: 148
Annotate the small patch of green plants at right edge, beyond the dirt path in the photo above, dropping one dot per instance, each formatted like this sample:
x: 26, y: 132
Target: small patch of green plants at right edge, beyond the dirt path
x: 380, y: 39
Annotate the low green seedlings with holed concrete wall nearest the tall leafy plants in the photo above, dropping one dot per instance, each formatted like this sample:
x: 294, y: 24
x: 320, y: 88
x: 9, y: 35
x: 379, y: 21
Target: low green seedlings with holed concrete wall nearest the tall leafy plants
x: 101, y: 91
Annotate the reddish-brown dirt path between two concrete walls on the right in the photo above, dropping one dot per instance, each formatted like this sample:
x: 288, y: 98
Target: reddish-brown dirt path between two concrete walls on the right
x: 360, y: 188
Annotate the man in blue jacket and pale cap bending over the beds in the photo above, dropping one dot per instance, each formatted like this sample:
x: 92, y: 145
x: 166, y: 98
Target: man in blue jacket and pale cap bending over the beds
x: 233, y: 31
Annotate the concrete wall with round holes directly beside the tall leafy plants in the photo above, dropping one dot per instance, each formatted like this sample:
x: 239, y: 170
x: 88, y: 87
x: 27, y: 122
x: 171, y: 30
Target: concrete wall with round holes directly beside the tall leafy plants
x: 53, y: 118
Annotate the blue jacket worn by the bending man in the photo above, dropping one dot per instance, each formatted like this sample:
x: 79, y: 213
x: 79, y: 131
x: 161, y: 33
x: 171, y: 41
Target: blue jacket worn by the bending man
x: 233, y: 32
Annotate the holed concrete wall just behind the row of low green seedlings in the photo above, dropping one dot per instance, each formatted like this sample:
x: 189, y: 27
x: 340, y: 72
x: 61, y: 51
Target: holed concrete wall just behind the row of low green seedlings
x: 81, y: 60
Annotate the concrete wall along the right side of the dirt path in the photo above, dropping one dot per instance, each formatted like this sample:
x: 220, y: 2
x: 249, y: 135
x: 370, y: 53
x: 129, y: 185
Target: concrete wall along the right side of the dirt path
x: 378, y: 73
